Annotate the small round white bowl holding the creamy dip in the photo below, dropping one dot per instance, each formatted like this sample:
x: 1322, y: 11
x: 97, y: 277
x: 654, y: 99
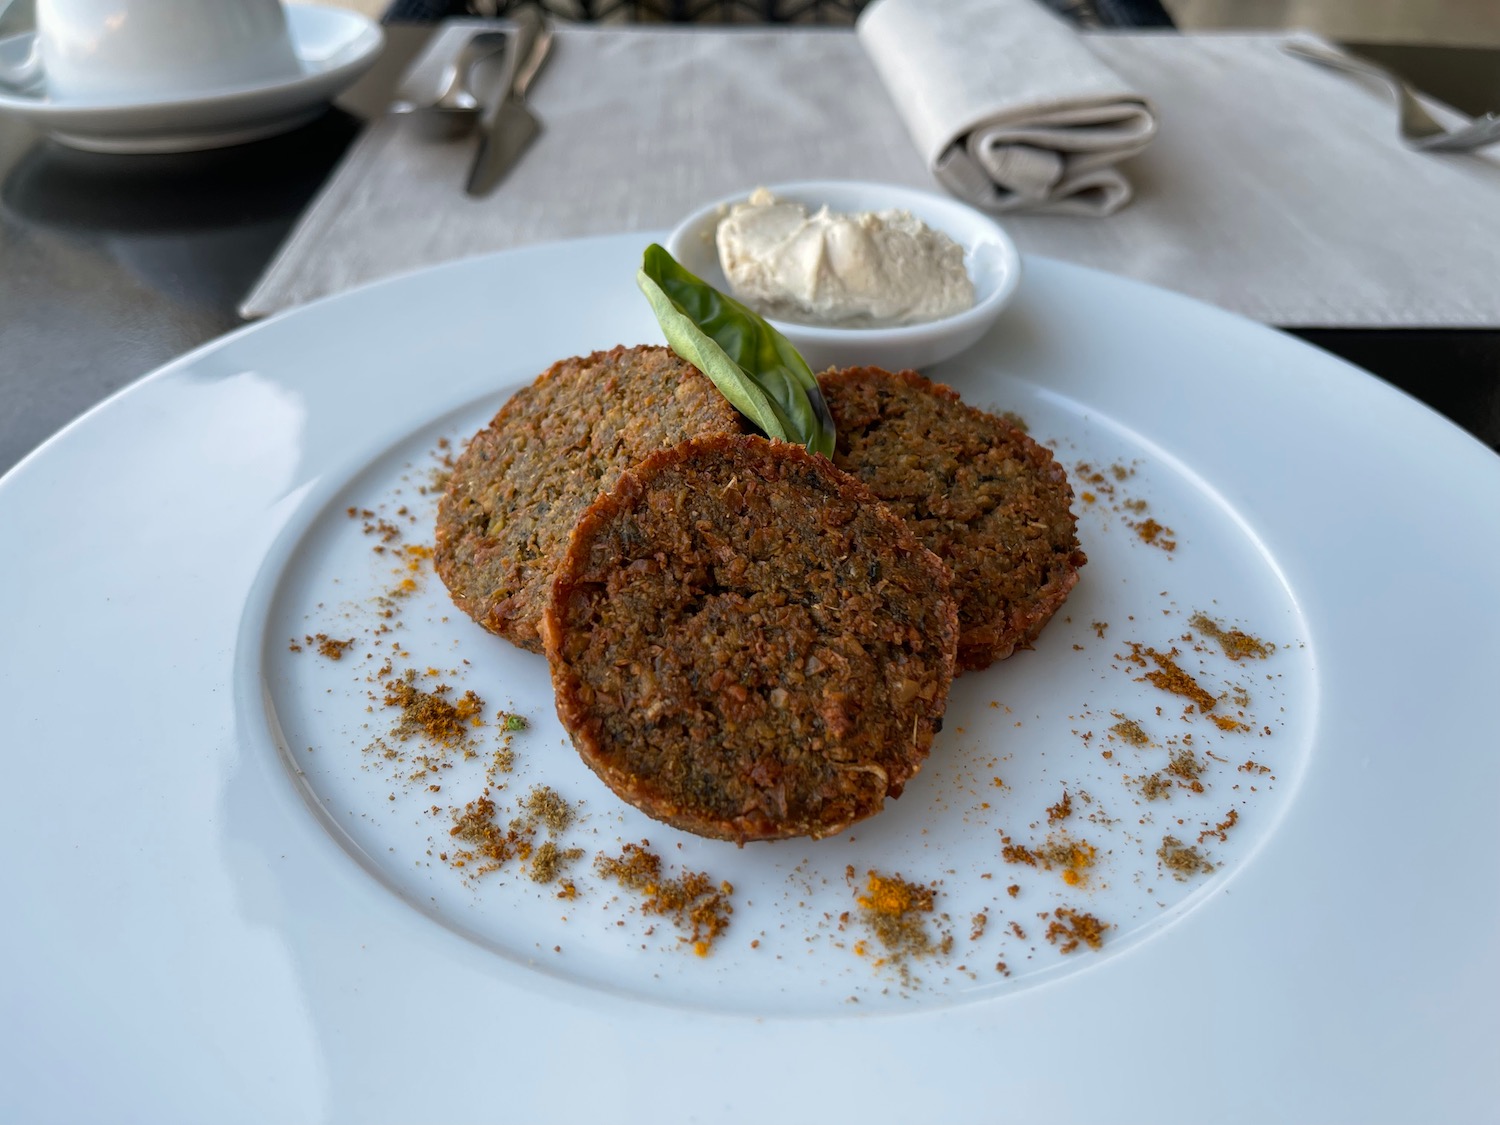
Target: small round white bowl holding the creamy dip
x: 989, y: 256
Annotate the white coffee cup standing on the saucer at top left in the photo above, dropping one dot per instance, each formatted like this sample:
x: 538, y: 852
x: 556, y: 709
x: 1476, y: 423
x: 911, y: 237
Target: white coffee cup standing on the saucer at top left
x: 130, y: 50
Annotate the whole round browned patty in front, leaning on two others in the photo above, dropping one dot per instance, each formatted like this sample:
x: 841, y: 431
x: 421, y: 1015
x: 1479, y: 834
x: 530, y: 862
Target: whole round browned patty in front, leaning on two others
x: 748, y: 646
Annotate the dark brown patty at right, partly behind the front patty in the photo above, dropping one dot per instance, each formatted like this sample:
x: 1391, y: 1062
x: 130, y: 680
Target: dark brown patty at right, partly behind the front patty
x: 982, y: 496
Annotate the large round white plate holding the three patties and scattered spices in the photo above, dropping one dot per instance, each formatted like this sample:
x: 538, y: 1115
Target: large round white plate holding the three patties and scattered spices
x: 214, y: 923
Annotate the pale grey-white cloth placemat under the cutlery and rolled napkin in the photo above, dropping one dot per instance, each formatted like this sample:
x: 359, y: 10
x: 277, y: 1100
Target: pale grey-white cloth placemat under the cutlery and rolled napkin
x: 1274, y: 188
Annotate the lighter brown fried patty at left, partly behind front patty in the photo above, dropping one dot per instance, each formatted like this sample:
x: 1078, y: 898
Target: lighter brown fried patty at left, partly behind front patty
x: 524, y: 481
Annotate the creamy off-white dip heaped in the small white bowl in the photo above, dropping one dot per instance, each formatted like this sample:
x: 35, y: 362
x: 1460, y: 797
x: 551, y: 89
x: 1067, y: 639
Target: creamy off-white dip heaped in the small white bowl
x: 860, y: 271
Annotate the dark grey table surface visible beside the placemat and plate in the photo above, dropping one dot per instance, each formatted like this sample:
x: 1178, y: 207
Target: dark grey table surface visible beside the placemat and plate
x: 112, y: 266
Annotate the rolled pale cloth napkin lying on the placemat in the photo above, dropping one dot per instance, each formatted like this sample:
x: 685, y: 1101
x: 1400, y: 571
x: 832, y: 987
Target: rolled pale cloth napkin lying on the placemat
x: 1009, y: 107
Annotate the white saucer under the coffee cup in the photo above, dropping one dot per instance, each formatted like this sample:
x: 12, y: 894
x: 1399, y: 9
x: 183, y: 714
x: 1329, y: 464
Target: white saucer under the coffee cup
x: 334, y: 46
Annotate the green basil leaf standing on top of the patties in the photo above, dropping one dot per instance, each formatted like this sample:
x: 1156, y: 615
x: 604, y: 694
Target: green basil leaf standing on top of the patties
x: 752, y: 364
